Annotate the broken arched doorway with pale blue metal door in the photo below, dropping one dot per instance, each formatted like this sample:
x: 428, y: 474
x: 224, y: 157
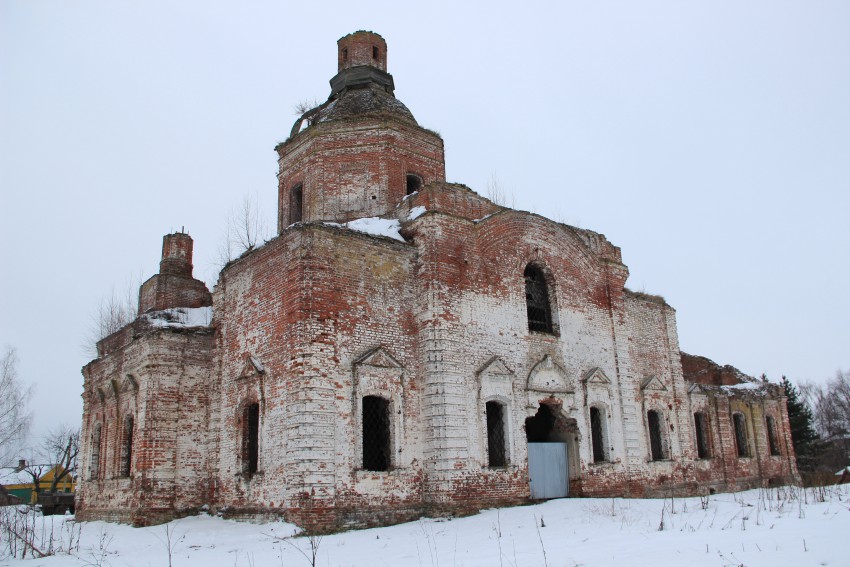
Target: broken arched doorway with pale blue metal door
x: 551, y: 446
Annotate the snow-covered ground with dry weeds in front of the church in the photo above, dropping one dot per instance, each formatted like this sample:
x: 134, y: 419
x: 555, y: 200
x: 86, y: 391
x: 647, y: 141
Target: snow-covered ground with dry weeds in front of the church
x: 771, y: 527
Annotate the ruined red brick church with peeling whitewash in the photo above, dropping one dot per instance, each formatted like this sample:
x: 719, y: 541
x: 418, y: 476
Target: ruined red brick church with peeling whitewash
x: 405, y: 346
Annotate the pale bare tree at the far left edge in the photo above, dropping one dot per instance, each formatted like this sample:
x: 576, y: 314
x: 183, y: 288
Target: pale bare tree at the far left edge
x: 15, y: 417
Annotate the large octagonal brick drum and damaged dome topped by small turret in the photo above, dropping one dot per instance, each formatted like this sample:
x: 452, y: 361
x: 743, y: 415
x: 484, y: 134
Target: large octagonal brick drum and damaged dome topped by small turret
x: 359, y: 153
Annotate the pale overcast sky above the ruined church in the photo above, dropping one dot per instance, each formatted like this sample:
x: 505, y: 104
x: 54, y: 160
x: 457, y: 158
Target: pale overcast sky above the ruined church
x: 710, y: 140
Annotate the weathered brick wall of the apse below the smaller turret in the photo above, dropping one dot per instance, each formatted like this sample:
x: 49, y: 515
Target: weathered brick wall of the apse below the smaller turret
x: 161, y: 380
